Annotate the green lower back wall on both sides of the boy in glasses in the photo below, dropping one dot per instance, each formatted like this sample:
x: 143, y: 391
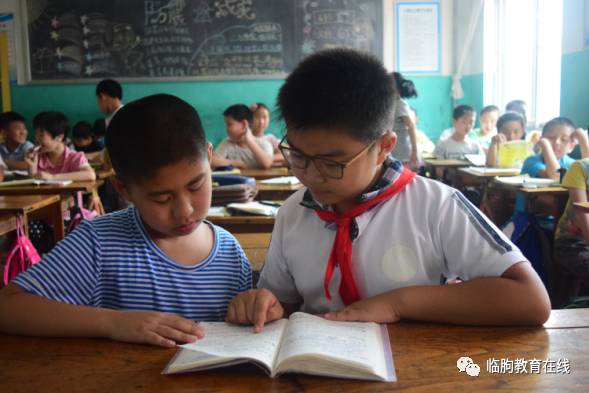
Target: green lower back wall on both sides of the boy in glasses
x: 78, y: 101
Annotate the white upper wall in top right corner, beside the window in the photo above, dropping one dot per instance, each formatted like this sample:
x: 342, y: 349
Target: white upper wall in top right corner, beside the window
x: 576, y: 23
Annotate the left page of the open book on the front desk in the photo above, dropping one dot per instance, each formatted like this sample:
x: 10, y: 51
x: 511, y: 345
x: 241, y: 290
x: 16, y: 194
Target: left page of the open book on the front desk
x: 233, y: 341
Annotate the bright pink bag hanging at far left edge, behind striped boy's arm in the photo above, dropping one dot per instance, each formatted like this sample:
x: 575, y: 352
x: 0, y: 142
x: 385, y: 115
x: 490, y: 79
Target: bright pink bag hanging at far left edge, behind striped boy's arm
x: 21, y: 255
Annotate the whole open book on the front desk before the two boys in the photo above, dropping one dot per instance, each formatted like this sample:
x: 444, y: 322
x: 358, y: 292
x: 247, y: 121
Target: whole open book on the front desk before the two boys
x: 302, y: 344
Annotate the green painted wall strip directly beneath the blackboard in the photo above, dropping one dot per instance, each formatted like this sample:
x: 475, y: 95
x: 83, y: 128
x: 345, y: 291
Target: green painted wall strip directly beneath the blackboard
x: 78, y: 101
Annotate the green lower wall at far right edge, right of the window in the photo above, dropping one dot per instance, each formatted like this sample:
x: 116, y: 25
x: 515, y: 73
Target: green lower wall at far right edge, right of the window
x: 574, y: 88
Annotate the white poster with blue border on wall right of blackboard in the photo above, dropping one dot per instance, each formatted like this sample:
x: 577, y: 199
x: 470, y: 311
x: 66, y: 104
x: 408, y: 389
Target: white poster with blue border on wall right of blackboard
x: 418, y: 37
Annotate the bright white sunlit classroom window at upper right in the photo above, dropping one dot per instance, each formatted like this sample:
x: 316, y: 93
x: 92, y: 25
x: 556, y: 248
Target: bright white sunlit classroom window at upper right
x: 523, y: 48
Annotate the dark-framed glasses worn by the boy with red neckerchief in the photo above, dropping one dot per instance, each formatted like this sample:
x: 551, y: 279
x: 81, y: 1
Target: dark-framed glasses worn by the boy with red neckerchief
x: 326, y: 167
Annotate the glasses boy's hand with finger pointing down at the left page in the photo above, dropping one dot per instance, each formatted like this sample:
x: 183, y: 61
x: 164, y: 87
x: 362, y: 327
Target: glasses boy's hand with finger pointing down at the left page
x: 256, y: 306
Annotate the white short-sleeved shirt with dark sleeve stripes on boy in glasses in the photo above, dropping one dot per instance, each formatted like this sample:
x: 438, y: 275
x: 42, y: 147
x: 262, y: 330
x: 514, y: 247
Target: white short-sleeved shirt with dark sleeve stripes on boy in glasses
x: 426, y: 233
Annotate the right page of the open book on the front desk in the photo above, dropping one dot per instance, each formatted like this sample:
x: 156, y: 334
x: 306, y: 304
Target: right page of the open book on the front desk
x: 348, y: 342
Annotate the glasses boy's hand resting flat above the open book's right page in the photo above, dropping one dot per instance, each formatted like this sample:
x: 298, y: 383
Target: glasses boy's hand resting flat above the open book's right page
x: 375, y: 309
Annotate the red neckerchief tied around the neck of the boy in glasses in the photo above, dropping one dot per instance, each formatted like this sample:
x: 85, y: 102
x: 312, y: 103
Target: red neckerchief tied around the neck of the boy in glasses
x: 341, y: 252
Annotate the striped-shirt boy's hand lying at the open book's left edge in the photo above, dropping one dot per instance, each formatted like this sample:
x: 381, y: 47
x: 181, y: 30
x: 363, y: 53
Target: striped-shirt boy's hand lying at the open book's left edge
x: 151, y: 327
